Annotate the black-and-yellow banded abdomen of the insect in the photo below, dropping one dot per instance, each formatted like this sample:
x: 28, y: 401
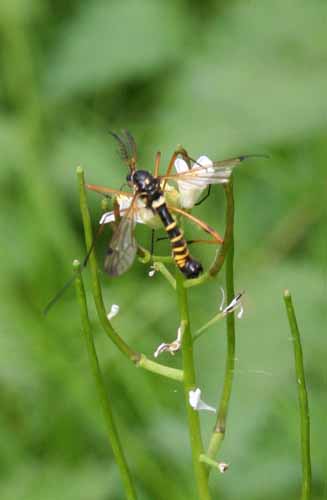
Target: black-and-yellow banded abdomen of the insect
x: 190, y: 267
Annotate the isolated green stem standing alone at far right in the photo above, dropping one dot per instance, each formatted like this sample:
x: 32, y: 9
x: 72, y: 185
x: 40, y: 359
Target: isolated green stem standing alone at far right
x: 303, y: 398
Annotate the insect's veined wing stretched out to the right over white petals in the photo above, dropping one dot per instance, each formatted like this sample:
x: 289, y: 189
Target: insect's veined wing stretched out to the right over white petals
x: 217, y: 172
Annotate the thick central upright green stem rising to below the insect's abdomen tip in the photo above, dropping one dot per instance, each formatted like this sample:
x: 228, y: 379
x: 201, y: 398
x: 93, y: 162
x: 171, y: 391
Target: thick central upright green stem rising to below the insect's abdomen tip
x: 200, y: 471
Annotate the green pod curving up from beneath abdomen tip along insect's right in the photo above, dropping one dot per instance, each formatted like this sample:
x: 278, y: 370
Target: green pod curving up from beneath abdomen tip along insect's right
x: 228, y: 237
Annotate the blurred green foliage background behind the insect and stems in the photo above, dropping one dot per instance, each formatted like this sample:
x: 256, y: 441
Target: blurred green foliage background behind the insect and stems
x: 221, y: 78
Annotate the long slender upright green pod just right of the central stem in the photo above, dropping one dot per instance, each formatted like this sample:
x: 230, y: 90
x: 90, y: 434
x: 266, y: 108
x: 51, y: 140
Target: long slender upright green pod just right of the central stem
x: 219, y: 429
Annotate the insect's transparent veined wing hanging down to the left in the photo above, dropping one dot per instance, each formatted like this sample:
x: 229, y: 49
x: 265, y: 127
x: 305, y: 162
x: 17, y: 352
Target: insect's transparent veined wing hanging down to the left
x: 123, y: 246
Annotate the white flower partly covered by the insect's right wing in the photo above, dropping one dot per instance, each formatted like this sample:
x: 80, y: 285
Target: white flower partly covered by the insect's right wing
x: 190, y: 192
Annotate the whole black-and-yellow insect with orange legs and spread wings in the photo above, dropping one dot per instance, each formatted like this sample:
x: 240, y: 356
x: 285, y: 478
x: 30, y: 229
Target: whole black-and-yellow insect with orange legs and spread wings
x: 148, y: 190
